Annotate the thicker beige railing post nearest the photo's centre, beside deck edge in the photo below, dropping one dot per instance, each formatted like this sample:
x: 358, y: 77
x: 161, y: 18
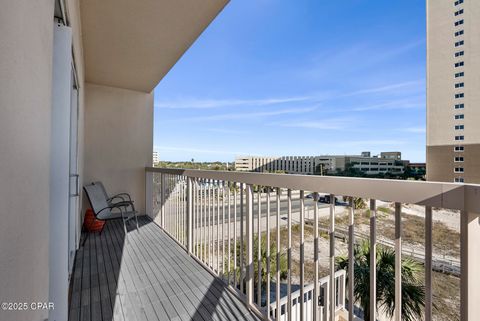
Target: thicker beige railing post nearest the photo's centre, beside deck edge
x: 249, y: 228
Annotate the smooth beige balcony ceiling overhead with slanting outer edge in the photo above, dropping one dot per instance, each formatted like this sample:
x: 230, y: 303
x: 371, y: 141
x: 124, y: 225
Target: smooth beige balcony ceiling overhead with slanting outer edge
x: 132, y: 44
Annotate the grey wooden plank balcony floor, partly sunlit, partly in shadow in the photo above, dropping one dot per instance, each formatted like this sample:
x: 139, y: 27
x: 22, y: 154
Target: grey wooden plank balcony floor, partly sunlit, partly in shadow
x: 149, y: 277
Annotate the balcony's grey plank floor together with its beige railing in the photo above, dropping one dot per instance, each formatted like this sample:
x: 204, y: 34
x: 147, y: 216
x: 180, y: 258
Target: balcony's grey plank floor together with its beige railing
x: 196, y: 255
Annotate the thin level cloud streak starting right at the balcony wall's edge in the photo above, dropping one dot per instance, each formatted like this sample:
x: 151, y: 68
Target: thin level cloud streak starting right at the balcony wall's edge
x: 231, y: 102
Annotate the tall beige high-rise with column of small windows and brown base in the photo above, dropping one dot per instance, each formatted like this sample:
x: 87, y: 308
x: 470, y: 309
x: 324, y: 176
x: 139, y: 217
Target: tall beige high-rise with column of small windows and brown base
x: 453, y: 91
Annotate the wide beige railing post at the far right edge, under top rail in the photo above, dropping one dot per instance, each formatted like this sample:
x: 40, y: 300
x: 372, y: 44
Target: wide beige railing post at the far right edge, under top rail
x: 470, y: 266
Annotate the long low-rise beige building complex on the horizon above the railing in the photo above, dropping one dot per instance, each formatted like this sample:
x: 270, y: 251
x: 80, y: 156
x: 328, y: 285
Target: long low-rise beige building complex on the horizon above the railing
x: 308, y: 165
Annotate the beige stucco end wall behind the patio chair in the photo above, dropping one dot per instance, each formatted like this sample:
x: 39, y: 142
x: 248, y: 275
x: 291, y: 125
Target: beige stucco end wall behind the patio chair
x: 118, y: 139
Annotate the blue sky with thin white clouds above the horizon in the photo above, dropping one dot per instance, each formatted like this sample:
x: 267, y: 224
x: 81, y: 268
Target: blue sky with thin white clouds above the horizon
x: 275, y: 77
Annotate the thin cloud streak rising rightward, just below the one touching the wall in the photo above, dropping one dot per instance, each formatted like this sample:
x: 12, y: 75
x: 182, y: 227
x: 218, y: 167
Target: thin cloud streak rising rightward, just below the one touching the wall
x: 248, y: 115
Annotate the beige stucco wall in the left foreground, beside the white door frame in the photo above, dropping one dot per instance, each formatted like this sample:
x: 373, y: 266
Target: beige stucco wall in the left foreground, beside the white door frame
x: 25, y: 111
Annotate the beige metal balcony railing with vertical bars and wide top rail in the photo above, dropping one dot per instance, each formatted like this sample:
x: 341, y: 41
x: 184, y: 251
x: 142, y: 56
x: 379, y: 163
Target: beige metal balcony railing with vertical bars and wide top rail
x: 213, y: 215
